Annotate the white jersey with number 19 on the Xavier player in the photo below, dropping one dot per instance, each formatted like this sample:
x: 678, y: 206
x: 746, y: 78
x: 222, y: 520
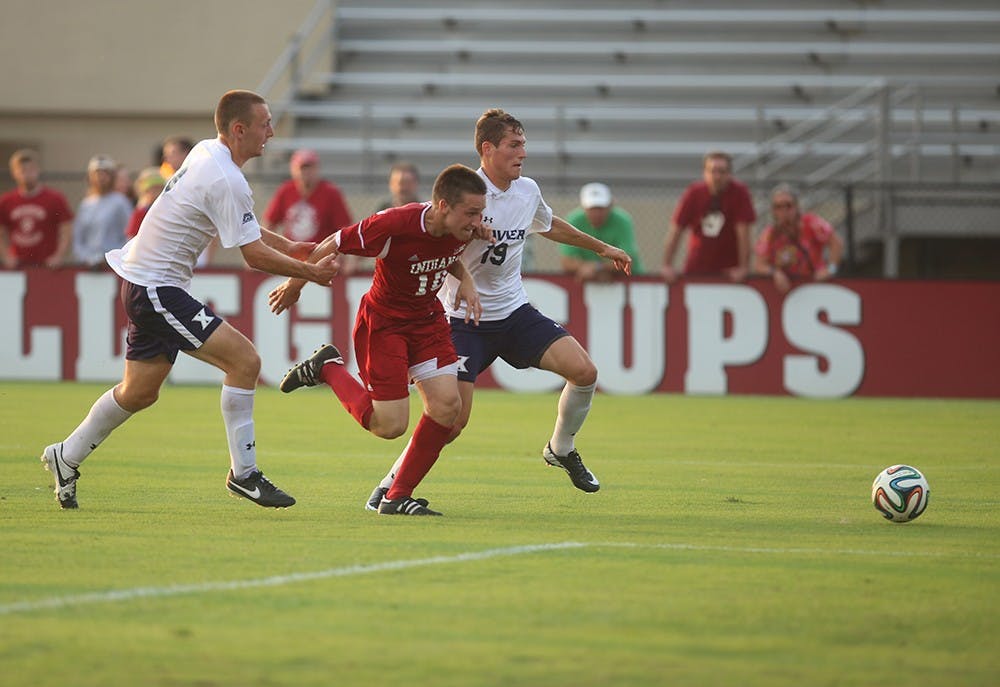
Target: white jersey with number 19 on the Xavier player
x: 513, y: 215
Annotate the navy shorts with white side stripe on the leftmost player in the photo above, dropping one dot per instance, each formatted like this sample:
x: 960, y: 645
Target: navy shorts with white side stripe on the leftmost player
x: 165, y: 320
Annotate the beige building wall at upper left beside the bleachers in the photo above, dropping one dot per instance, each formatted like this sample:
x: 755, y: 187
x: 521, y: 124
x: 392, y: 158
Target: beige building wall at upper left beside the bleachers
x: 111, y: 77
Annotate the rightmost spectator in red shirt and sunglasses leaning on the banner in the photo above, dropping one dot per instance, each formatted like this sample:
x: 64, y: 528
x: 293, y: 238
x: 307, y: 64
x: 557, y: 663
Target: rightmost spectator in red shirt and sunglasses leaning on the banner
x: 793, y: 246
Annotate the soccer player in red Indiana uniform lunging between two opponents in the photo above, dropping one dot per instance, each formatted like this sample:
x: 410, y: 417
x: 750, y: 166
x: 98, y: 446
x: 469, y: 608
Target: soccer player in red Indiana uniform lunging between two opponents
x: 401, y: 334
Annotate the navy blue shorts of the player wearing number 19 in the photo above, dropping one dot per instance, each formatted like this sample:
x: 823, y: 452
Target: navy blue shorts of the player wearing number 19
x: 520, y: 340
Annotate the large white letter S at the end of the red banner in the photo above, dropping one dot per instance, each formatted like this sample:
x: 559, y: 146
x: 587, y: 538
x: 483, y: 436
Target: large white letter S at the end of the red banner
x: 803, y: 328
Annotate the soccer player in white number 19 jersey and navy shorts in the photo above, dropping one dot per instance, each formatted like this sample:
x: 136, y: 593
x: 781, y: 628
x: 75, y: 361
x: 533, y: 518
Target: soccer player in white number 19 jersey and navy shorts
x: 510, y: 327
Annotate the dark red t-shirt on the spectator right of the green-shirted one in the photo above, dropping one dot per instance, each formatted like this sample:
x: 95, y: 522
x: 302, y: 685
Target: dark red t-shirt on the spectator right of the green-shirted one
x: 713, y: 245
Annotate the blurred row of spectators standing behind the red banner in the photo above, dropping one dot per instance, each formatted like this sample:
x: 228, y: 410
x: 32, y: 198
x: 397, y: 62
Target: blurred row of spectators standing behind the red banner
x: 713, y: 220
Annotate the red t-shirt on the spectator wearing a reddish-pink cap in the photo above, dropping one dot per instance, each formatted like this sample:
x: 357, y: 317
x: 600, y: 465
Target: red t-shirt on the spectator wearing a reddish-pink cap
x: 311, y: 219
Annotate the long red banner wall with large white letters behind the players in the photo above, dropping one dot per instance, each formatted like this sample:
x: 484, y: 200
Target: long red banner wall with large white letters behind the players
x: 832, y: 340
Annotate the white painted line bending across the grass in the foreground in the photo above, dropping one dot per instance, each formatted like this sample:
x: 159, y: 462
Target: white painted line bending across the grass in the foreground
x: 115, y: 595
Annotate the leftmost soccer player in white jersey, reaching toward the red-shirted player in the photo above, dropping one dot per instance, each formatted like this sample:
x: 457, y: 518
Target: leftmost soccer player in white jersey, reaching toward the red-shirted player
x: 207, y: 197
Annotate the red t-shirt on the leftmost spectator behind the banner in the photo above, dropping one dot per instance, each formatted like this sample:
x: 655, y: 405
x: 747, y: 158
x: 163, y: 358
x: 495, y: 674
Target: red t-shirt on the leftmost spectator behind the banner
x: 32, y: 223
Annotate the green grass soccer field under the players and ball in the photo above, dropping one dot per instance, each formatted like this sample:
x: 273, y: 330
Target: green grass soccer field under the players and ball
x: 732, y: 543
